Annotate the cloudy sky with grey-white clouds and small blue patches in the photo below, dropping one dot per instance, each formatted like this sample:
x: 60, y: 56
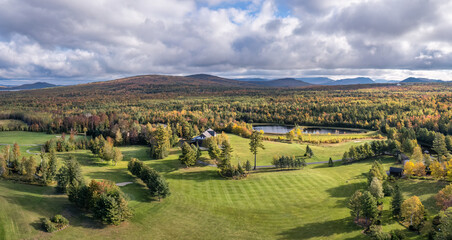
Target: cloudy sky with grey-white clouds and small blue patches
x: 67, y: 41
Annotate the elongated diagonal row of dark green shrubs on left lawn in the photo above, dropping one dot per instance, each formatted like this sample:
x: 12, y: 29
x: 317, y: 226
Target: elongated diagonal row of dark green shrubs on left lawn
x: 157, y: 185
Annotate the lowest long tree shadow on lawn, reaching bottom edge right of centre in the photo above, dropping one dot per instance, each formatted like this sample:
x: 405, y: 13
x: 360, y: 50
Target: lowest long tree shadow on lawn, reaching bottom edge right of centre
x: 320, y: 230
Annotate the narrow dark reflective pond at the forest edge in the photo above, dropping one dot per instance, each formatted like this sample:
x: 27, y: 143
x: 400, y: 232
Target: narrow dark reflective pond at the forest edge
x: 280, y: 129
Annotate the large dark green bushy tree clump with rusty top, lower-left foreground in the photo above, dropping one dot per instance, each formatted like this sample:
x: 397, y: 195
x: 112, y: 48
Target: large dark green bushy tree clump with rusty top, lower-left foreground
x: 104, y: 199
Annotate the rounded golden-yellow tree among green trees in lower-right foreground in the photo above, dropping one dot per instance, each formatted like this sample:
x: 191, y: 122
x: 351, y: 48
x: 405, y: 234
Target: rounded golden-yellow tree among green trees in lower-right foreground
x: 413, y: 211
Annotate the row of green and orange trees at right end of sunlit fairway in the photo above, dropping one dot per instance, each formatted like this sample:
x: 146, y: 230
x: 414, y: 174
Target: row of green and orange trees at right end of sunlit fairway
x: 375, y: 148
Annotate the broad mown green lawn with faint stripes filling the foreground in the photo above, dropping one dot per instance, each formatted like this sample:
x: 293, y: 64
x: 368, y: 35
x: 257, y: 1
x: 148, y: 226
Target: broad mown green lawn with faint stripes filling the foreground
x: 301, y: 204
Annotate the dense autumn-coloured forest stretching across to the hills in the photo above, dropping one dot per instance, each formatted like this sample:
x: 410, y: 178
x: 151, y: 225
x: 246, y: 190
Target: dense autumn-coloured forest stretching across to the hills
x: 193, y: 104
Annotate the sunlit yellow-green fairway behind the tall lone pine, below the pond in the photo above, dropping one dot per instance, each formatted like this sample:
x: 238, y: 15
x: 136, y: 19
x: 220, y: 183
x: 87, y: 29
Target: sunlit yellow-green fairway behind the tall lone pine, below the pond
x: 321, y: 152
